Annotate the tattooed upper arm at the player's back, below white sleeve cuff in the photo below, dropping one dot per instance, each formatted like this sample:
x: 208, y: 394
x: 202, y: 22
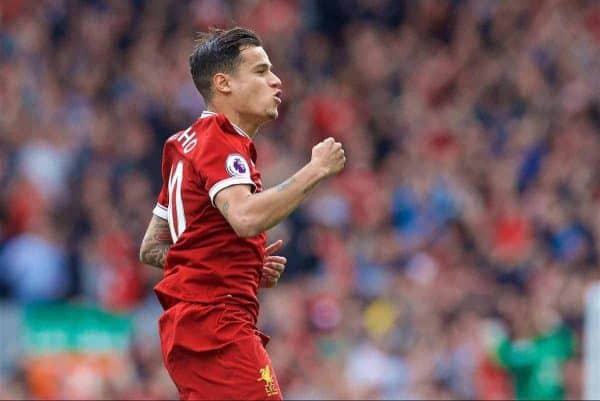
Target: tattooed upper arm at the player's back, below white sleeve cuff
x: 156, y: 243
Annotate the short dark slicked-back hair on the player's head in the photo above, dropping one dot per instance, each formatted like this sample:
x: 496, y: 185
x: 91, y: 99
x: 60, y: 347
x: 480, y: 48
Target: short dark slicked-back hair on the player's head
x: 218, y: 50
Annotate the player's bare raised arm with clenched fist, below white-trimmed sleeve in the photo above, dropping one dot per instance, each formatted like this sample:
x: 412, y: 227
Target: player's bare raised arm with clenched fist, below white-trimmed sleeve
x: 250, y: 214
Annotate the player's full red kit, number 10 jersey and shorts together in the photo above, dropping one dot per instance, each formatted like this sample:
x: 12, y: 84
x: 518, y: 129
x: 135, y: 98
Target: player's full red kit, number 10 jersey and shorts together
x: 209, y: 340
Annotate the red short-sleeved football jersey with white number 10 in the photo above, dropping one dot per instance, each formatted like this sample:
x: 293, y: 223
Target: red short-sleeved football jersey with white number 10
x: 208, y: 263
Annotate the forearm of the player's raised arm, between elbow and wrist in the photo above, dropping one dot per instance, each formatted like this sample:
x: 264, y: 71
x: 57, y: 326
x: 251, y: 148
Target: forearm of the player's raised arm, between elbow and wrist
x: 266, y: 209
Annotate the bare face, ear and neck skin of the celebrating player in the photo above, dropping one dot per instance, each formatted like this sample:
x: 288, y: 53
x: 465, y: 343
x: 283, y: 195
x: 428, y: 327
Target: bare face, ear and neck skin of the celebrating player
x: 250, y: 96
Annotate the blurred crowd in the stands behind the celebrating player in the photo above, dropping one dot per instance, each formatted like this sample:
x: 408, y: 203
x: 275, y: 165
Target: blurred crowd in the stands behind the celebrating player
x: 451, y: 259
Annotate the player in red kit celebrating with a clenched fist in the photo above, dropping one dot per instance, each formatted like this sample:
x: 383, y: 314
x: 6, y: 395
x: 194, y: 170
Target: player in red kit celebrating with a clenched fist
x: 208, y: 227
